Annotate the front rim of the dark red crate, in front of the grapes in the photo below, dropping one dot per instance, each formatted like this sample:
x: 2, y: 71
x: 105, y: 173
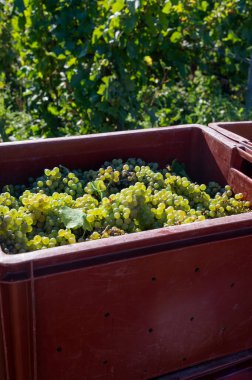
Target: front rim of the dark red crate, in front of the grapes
x: 192, y: 231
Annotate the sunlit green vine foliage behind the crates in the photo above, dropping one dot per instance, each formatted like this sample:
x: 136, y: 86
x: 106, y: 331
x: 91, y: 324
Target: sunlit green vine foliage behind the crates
x: 76, y: 67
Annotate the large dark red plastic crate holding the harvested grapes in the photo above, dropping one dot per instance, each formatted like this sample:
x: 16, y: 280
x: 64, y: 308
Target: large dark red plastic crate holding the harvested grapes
x: 135, y: 306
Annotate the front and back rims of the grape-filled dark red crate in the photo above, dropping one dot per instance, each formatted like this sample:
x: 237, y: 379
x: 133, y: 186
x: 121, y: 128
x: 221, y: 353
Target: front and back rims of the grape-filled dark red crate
x: 172, y: 233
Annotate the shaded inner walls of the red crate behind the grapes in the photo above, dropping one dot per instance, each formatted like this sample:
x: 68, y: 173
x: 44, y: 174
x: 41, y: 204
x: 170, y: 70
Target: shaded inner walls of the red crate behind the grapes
x: 206, y: 158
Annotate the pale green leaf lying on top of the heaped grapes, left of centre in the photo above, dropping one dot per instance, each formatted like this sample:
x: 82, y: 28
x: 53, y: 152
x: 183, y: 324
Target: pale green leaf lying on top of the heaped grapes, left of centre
x: 74, y: 218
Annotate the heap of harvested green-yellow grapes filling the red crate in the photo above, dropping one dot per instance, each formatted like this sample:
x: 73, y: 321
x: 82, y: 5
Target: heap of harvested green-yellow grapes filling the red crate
x: 66, y: 206
